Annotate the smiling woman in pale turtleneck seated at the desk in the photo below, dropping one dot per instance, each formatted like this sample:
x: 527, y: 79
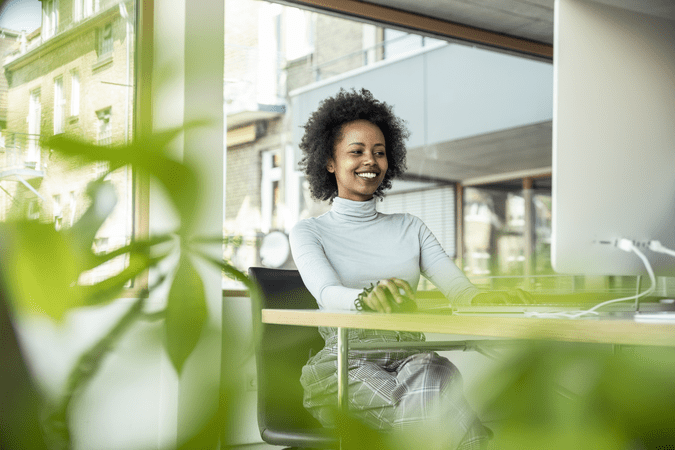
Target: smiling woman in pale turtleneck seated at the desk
x: 353, y: 147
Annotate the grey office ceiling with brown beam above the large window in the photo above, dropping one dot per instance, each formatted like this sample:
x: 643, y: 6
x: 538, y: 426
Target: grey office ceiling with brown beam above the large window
x: 521, y: 26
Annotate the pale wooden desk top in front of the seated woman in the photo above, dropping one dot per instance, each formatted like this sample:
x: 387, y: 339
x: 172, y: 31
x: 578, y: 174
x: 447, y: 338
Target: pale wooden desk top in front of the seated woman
x: 592, y: 330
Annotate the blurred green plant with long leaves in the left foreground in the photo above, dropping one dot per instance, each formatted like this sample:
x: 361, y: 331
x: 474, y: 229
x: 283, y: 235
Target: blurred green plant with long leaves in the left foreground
x: 42, y: 269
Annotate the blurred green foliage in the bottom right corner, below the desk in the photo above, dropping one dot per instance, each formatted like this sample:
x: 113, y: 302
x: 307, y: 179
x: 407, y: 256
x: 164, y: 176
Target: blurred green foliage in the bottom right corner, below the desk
x: 556, y: 395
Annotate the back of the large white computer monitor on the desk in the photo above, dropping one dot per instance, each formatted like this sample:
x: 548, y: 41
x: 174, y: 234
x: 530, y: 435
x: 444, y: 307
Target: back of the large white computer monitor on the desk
x: 613, y: 136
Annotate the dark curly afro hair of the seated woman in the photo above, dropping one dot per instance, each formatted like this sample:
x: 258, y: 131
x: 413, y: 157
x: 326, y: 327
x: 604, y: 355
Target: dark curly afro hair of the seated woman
x: 324, y: 127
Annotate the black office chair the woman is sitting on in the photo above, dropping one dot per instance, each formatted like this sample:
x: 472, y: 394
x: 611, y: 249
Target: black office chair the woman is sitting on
x: 281, y: 352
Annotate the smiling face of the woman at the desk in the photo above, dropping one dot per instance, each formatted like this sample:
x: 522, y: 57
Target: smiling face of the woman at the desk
x: 359, y: 160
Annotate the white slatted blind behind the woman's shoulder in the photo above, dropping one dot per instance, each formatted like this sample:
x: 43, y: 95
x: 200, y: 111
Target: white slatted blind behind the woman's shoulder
x: 436, y: 208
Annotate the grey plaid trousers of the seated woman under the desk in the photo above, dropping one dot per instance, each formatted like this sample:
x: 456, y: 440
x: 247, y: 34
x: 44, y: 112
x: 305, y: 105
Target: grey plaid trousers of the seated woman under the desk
x: 394, y: 390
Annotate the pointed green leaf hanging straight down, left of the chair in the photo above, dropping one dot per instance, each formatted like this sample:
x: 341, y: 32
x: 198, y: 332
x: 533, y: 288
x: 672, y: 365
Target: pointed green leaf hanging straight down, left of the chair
x: 185, y: 313
